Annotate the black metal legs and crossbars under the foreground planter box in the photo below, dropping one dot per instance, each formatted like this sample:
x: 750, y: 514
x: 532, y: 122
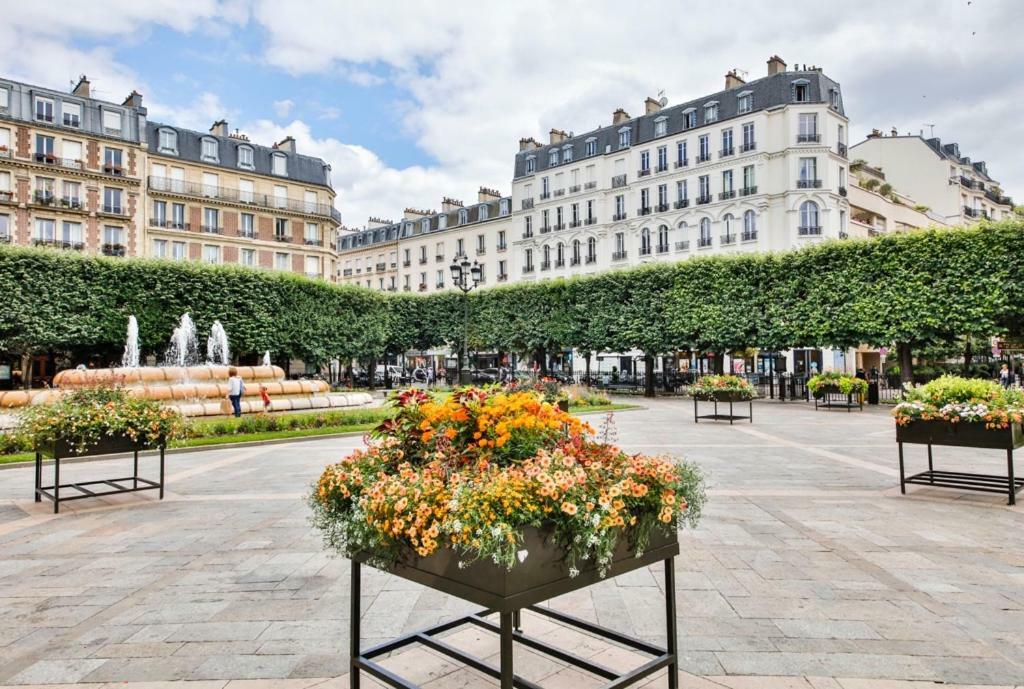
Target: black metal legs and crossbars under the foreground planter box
x: 510, y: 633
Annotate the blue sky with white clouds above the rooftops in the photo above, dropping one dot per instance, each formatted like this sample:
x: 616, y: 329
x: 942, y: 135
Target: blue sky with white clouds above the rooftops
x: 412, y: 102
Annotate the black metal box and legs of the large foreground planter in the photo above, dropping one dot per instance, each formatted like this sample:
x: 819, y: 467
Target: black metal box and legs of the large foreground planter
x: 542, y: 576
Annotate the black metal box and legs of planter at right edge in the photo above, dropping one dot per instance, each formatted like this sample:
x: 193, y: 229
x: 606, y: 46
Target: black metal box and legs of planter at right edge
x: 963, y: 436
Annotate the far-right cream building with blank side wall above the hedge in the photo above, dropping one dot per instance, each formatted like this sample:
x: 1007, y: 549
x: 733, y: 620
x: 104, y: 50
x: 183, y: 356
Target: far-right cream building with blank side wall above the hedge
x: 936, y: 176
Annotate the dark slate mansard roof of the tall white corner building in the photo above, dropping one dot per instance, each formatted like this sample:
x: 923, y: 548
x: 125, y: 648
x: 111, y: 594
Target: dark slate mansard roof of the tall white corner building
x: 769, y: 93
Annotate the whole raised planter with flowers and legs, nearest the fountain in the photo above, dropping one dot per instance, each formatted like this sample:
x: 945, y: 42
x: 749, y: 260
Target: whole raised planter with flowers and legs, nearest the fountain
x: 94, y: 422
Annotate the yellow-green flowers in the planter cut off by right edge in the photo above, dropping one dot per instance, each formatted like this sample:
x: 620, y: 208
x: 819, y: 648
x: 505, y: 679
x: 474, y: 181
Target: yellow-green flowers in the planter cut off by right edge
x: 956, y: 401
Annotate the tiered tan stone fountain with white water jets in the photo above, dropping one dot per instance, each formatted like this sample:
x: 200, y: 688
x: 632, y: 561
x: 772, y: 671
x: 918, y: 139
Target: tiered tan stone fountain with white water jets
x: 192, y: 389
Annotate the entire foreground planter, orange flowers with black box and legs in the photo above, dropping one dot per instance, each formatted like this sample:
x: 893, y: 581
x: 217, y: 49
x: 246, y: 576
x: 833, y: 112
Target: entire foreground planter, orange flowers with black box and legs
x: 504, y: 500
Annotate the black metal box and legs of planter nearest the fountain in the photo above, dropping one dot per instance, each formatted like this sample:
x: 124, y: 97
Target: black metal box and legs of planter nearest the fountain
x: 110, y: 445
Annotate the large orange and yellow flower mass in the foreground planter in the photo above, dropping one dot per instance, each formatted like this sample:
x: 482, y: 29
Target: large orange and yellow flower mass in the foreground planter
x: 472, y: 472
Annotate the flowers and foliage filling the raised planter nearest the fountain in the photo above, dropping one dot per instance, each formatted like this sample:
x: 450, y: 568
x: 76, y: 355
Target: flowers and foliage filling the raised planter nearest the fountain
x: 83, y: 418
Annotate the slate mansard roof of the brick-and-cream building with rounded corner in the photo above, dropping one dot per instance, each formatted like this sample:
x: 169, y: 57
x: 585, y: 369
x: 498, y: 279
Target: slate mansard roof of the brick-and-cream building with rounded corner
x: 307, y: 169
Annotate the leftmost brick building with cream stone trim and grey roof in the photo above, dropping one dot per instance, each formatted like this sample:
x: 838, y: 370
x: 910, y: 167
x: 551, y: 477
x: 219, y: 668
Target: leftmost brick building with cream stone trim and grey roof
x: 71, y: 169
